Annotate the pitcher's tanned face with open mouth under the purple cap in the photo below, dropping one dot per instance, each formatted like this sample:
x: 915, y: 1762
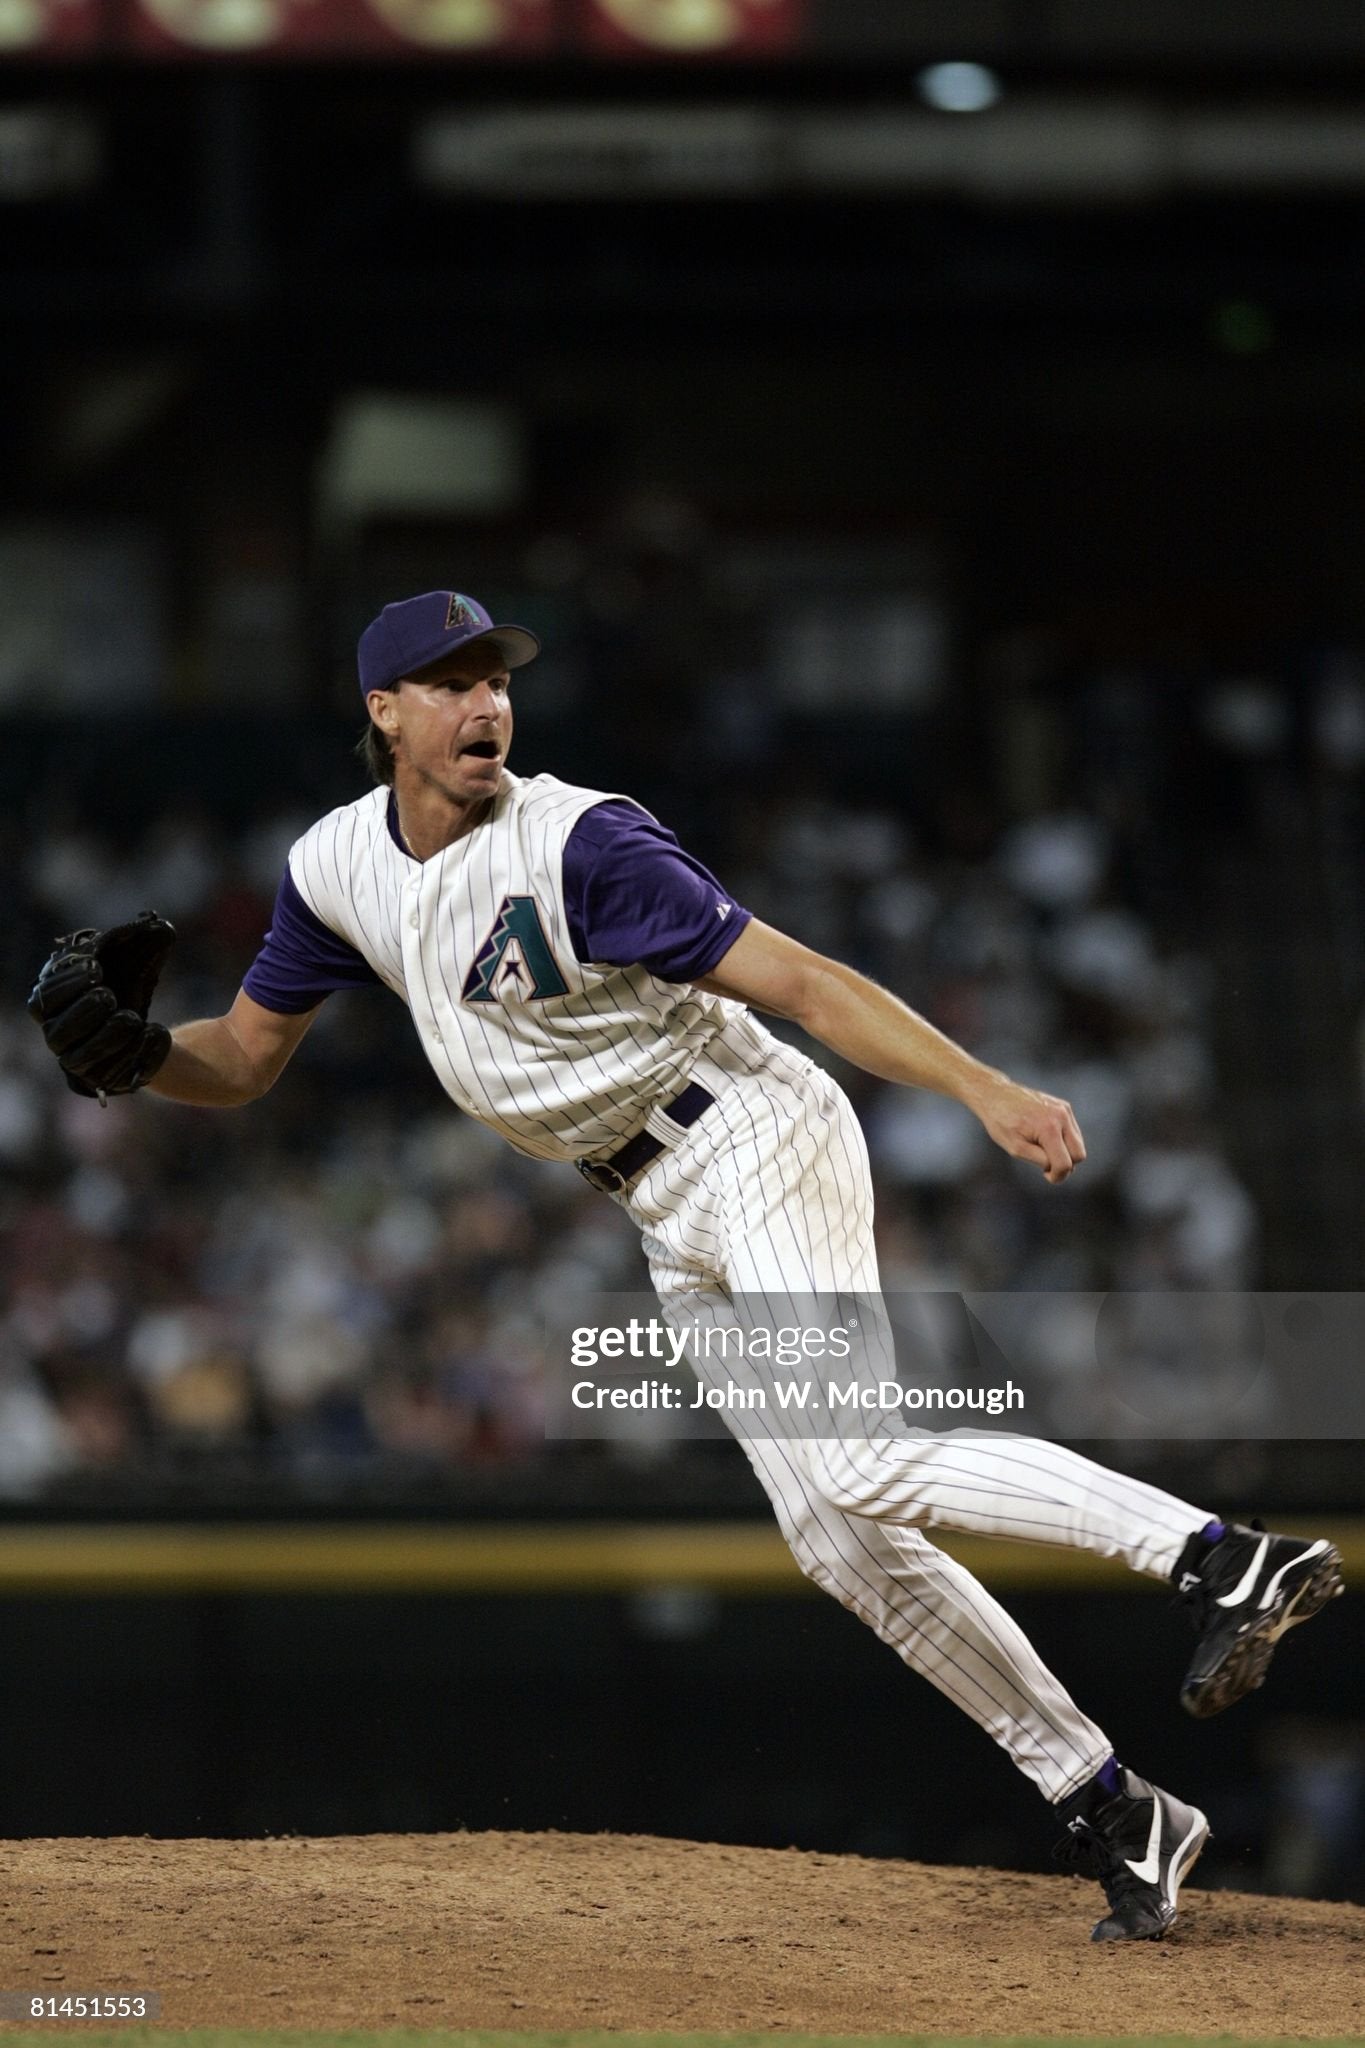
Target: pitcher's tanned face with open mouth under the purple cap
x: 451, y: 724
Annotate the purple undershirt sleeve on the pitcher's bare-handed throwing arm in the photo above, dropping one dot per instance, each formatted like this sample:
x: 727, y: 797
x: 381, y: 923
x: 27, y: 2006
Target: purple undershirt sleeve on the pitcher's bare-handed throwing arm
x: 635, y: 898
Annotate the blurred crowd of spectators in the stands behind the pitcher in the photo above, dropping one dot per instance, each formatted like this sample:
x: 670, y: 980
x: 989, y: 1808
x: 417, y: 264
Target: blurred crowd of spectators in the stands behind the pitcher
x: 347, y: 1277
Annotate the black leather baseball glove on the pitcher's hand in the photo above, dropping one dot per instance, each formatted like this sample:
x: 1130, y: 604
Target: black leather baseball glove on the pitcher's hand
x: 93, y: 1000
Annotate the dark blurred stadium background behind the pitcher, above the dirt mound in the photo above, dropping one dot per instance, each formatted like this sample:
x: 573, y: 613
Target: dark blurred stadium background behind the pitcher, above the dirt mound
x: 953, y: 525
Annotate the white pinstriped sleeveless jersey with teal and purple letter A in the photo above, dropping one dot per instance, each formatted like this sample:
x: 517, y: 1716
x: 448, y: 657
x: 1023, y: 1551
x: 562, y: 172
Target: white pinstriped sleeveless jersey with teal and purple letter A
x: 562, y: 1058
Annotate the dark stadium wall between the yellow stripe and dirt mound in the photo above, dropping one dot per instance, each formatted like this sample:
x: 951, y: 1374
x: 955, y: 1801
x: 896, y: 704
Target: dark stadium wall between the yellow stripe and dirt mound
x: 756, y: 1721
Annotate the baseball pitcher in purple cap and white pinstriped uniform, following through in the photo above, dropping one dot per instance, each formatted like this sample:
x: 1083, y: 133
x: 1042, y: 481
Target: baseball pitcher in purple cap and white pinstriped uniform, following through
x: 588, y: 990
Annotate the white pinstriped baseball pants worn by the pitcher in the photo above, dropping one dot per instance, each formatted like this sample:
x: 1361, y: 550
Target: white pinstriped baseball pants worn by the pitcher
x: 770, y: 1195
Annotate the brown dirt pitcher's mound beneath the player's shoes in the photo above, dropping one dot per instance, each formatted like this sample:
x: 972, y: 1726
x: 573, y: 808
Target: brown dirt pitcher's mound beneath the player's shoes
x: 629, y: 1932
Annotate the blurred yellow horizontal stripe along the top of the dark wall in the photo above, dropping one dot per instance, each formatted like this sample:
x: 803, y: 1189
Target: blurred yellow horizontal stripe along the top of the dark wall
x: 611, y: 1558
